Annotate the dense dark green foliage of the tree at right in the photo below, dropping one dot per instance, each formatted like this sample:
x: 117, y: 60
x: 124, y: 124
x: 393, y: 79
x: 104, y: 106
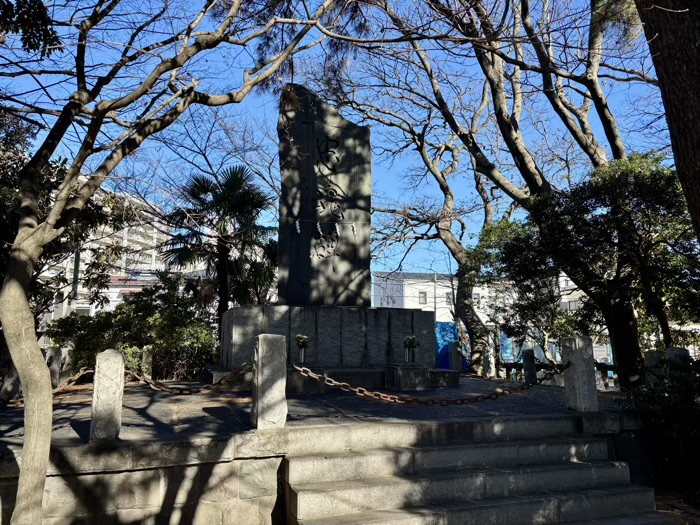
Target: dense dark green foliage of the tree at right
x: 627, y: 230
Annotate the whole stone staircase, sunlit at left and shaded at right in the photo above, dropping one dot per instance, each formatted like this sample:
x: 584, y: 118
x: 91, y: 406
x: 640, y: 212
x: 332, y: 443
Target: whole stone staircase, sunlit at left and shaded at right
x: 503, y: 471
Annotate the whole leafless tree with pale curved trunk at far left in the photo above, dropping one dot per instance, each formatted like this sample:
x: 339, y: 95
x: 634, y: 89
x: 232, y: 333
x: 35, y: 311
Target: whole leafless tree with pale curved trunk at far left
x: 128, y: 70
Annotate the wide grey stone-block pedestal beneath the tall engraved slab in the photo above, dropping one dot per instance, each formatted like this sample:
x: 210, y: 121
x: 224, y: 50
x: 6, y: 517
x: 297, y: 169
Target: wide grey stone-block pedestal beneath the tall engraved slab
x: 339, y: 337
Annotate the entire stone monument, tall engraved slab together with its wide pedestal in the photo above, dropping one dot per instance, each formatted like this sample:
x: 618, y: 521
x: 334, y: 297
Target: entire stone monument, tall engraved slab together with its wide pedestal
x: 324, y: 288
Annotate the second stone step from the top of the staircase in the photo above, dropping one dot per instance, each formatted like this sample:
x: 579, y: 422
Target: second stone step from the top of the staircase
x: 410, y: 460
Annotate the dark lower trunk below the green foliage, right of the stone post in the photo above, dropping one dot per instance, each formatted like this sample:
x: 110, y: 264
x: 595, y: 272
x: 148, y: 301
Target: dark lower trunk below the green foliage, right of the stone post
x: 624, y: 338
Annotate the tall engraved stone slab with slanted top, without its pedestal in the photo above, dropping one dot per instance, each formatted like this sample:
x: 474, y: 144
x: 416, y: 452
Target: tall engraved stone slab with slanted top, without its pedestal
x: 325, y: 163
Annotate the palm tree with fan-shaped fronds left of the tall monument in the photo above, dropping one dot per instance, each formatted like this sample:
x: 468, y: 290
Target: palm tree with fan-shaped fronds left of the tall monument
x: 217, y: 224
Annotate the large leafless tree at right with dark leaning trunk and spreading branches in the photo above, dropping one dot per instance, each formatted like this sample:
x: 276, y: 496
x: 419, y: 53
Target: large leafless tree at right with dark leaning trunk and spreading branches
x: 549, y: 69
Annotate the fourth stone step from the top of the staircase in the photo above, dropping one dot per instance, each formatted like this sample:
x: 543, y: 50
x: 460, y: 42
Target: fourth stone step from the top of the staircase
x: 624, y: 504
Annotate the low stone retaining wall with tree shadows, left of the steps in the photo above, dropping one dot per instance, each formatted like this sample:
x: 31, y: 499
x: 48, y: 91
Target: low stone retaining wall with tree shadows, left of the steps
x: 203, y: 482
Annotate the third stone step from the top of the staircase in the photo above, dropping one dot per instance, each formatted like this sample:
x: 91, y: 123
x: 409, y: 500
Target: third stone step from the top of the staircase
x: 326, y: 499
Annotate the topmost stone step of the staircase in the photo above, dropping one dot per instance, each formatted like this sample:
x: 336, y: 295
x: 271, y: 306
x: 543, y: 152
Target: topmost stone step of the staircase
x: 373, y: 435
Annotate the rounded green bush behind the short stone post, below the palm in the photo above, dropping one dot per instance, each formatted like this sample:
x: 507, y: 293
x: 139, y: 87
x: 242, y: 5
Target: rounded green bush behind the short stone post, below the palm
x: 165, y: 317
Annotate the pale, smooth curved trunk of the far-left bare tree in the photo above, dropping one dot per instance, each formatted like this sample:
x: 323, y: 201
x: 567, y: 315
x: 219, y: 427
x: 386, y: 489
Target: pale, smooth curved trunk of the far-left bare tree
x: 18, y: 326
